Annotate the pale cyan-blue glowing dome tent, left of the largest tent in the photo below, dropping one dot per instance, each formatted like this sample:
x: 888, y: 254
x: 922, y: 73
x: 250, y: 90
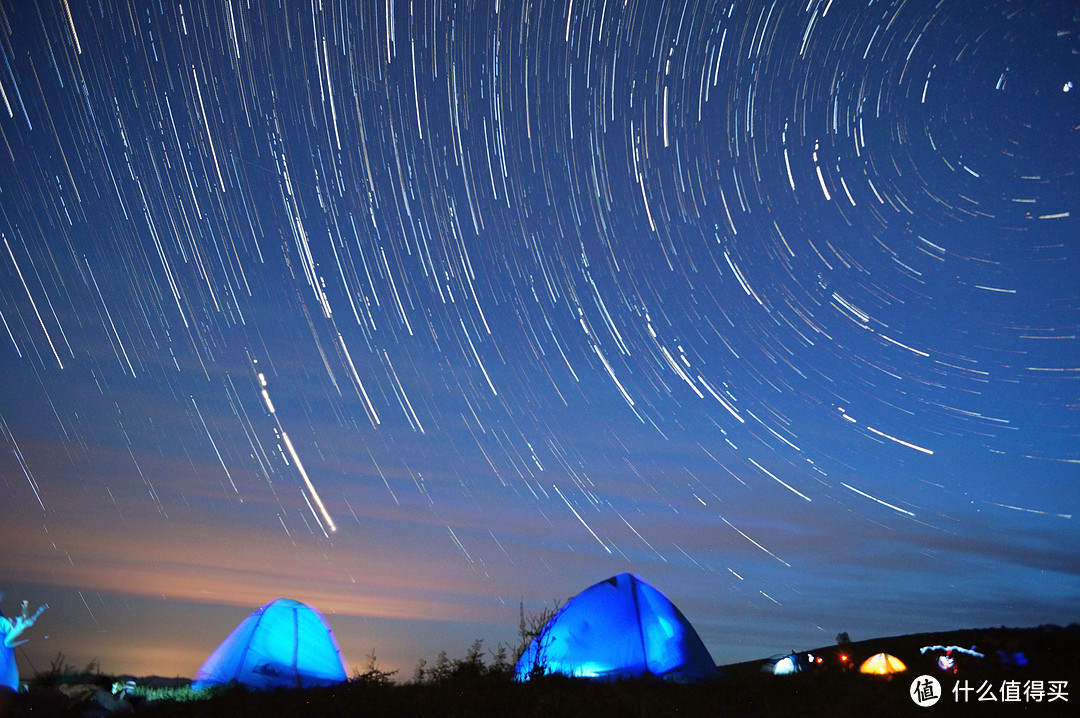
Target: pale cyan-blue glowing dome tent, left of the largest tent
x: 285, y: 644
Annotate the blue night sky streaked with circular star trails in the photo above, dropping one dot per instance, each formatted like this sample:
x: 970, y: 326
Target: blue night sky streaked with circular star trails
x: 422, y: 314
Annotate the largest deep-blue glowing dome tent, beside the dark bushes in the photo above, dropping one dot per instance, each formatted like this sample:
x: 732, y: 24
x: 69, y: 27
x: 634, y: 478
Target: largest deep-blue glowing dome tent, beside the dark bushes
x: 618, y: 629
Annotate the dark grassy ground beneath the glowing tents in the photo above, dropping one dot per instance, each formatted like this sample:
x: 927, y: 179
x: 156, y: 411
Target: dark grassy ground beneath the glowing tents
x: 832, y: 688
